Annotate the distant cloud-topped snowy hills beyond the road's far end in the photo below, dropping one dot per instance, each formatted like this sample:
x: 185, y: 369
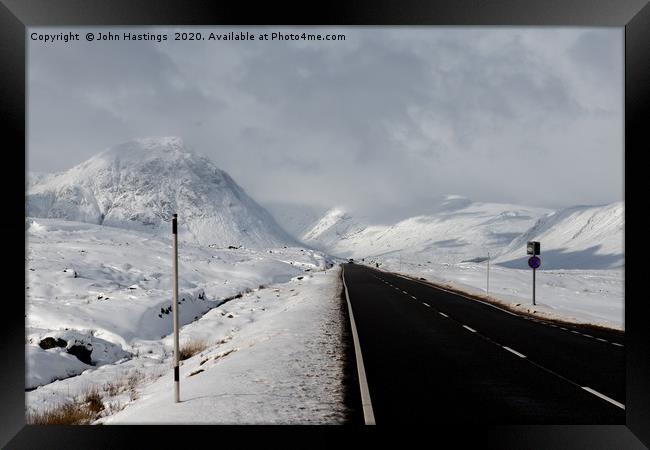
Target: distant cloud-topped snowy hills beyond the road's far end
x: 458, y: 230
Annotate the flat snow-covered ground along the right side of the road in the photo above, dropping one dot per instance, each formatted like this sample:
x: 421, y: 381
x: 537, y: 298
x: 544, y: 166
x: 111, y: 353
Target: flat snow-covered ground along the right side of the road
x: 583, y: 296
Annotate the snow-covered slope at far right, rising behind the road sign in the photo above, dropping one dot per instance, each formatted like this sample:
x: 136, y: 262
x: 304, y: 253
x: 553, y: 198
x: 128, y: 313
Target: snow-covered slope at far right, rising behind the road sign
x: 581, y: 237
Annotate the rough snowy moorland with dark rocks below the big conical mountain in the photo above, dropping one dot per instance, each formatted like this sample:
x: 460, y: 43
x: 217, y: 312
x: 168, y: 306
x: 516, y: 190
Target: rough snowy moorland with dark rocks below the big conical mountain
x: 109, y: 290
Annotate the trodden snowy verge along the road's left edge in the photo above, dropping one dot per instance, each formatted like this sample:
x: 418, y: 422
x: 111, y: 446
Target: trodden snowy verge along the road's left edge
x: 283, y: 364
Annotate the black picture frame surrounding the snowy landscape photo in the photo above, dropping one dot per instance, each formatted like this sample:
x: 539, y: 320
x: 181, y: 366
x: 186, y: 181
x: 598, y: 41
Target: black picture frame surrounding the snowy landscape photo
x: 16, y: 15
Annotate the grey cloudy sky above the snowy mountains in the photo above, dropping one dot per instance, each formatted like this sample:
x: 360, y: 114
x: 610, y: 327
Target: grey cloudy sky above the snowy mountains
x: 382, y: 123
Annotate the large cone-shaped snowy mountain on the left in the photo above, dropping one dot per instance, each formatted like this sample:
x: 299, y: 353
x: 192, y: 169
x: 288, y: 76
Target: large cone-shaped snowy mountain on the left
x: 141, y: 183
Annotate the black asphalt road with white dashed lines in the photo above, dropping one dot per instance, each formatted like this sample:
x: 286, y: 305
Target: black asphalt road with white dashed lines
x: 431, y: 356
